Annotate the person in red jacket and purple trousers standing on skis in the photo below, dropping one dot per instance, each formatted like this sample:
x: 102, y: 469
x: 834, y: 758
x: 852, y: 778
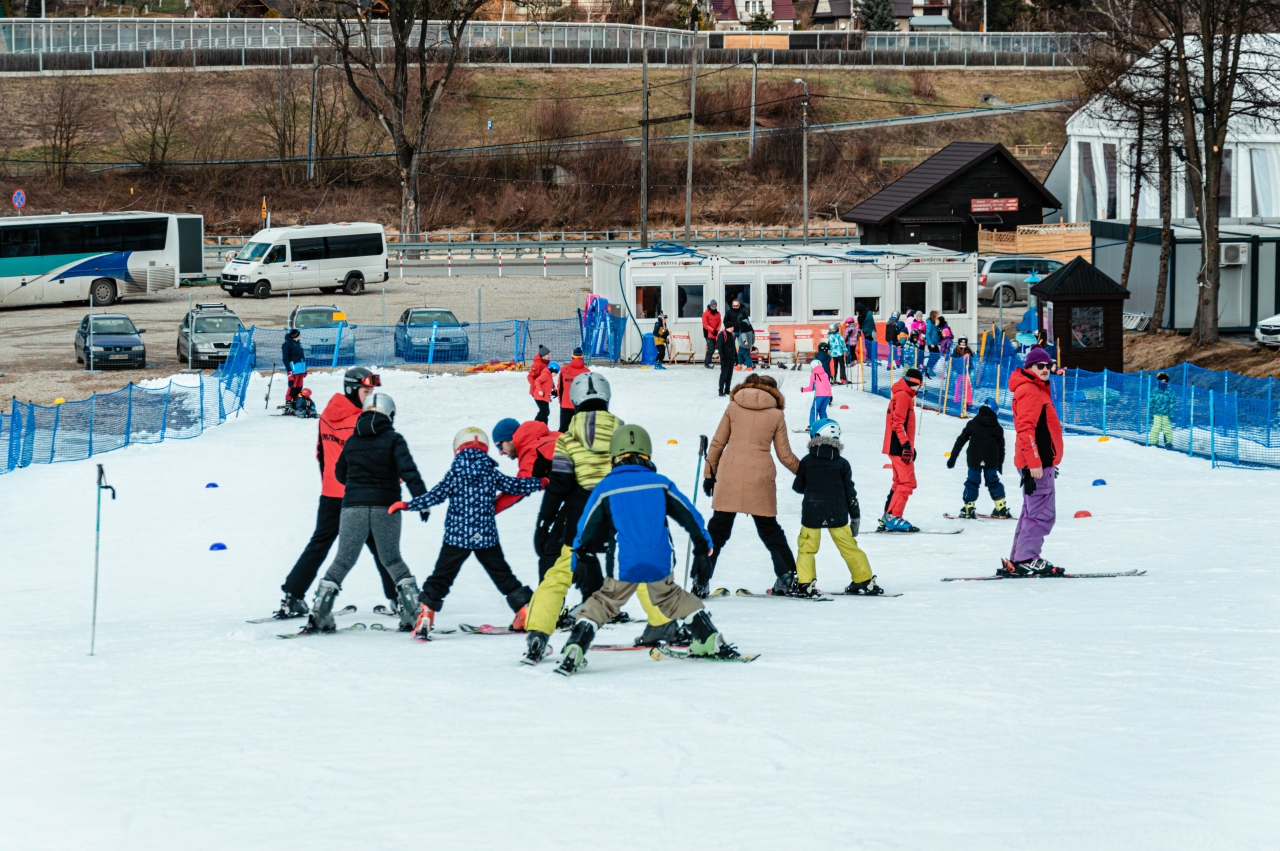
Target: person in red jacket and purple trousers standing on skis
x: 1037, y: 452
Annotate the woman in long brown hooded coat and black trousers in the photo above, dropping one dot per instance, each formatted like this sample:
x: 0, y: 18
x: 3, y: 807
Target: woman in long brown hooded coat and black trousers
x: 740, y: 475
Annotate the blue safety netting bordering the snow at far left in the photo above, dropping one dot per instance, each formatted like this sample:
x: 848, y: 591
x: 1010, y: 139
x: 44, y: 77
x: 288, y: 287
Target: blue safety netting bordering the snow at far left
x: 75, y: 431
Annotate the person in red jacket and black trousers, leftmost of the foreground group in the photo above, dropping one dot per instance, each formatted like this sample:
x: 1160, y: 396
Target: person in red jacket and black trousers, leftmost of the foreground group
x: 337, y: 425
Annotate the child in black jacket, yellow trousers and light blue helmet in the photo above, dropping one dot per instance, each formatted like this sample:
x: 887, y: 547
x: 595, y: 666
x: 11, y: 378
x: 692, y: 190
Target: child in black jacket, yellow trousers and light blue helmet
x: 830, y: 502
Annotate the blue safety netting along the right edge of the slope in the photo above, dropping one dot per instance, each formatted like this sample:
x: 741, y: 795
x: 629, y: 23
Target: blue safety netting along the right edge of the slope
x: 1226, y: 418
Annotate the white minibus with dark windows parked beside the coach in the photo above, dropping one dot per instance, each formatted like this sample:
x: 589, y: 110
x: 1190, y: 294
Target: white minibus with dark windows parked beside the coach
x: 327, y: 258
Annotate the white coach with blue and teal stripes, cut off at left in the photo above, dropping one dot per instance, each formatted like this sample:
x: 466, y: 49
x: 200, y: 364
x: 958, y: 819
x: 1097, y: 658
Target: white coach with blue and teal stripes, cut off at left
x: 45, y: 260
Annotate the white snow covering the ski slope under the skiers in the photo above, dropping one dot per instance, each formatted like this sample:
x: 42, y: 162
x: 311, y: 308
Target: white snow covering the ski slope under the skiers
x: 1131, y: 713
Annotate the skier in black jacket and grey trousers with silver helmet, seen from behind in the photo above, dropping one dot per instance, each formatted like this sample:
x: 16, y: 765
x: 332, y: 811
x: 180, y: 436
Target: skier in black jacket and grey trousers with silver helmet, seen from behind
x: 372, y: 468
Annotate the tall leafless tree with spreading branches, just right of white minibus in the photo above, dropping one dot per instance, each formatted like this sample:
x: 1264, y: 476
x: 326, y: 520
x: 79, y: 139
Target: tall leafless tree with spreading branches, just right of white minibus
x: 399, y: 68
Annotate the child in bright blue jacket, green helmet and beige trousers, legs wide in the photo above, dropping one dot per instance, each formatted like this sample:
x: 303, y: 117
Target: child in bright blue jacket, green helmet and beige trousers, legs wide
x: 633, y: 505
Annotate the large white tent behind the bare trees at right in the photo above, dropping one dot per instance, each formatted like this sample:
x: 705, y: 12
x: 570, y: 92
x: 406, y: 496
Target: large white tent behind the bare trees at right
x: 1101, y: 155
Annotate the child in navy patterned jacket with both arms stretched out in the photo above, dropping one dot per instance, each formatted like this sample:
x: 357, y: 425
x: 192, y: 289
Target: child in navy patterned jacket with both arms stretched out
x: 472, y: 486
